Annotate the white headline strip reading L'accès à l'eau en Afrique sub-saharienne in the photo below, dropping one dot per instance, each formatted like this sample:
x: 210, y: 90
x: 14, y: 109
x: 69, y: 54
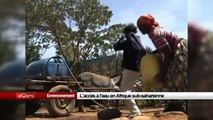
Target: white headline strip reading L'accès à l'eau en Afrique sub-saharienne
x: 146, y: 95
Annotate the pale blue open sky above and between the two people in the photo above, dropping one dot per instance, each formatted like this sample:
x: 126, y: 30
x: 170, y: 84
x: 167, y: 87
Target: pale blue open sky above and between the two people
x: 171, y: 14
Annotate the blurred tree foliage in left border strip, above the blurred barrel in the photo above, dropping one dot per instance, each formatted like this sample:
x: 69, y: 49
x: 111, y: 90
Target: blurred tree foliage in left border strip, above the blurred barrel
x: 11, y: 29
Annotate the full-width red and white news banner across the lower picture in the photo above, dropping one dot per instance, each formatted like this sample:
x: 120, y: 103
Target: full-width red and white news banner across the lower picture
x: 107, y: 95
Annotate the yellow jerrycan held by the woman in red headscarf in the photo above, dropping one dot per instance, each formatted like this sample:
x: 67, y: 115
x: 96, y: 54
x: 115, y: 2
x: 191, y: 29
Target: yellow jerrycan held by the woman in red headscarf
x: 149, y: 68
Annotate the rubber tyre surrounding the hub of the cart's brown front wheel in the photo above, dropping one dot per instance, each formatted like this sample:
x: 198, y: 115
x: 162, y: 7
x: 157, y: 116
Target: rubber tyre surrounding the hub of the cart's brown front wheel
x: 51, y: 104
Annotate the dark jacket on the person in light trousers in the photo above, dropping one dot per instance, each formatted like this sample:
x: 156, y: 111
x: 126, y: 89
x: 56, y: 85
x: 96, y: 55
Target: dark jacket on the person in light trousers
x: 133, y: 51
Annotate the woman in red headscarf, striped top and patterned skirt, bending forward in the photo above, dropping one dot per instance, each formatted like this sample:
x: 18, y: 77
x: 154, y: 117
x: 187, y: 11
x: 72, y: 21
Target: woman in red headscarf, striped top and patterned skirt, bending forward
x: 173, y: 53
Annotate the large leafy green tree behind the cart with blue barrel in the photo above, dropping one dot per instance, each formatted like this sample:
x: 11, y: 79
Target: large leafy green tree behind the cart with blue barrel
x: 80, y: 26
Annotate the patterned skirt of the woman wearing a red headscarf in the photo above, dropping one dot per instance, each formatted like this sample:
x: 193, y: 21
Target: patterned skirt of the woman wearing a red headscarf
x: 177, y: 70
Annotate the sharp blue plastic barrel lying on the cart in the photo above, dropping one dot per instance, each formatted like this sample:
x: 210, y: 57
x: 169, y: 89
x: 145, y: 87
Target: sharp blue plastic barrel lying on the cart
x: 53, y: 66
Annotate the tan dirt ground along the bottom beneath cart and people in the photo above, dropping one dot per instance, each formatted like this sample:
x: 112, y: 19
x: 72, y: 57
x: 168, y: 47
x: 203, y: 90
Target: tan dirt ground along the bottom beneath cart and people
x: 42, y: 114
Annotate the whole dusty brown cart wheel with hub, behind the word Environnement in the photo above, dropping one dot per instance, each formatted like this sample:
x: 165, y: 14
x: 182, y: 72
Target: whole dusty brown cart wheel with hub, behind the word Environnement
x: 60, y: 107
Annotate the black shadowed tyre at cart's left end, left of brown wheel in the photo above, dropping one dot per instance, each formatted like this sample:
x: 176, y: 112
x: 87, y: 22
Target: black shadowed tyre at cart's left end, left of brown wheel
x: 31, y: 106
